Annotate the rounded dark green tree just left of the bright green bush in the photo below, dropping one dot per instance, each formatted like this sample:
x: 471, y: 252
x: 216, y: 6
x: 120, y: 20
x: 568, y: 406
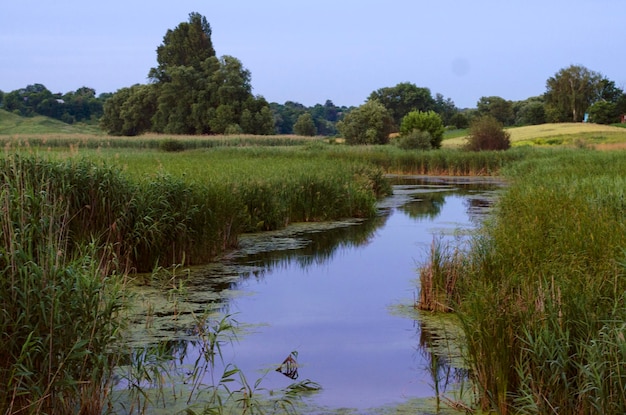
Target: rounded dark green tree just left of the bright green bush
x: 370, y: 123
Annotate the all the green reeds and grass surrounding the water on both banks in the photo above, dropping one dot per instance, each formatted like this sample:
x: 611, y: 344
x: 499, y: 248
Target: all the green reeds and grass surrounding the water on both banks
x: 539, y: 294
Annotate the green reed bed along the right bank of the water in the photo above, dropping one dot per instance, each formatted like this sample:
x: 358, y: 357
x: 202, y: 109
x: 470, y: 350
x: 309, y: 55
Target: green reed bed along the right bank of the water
x: 541, y: 291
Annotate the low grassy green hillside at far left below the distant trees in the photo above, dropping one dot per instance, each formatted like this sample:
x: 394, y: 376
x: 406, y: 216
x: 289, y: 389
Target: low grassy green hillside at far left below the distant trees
x: 14, y: 124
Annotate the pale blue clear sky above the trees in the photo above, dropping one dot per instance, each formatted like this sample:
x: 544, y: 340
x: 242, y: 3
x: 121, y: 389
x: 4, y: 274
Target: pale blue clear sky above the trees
x: 312, y: 51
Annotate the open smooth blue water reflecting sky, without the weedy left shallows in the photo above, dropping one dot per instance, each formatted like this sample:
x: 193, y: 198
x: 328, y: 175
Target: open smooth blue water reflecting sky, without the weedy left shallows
x: 333, y: 296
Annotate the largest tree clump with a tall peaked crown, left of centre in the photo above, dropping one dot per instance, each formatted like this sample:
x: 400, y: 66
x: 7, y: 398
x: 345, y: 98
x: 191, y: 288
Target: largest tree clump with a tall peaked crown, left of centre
x: 194, y: 92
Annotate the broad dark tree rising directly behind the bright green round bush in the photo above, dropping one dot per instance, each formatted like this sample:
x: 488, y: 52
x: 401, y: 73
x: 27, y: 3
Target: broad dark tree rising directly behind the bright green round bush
x: 402, y: 99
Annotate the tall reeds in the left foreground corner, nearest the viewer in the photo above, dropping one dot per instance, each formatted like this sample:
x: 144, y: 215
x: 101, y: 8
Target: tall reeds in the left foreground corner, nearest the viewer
x: 59, y: 305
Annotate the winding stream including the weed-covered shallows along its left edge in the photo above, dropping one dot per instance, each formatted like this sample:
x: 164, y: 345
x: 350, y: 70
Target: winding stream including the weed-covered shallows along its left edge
x: 339, y: 294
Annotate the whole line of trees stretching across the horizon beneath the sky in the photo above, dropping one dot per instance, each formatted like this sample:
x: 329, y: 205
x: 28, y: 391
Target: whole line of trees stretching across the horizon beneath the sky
x: 192, y: 91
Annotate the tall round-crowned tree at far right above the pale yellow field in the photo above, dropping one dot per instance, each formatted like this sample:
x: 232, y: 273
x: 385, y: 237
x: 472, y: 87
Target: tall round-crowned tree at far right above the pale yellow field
x: 571, y: 91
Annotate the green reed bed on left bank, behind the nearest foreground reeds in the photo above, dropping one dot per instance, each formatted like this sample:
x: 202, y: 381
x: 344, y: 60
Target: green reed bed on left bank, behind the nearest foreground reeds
x: 156, y: 208
